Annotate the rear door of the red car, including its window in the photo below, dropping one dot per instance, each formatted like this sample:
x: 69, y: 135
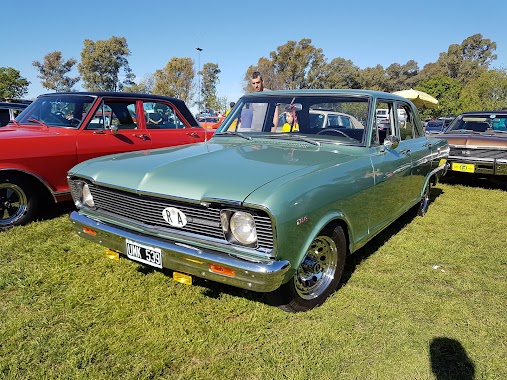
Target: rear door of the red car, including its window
x: 167, y: 127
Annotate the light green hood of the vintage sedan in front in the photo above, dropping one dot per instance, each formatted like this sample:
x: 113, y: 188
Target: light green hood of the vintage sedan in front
x: 209, y: 170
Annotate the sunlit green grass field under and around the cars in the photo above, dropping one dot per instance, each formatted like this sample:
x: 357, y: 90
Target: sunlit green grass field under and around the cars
x: 426, y: 299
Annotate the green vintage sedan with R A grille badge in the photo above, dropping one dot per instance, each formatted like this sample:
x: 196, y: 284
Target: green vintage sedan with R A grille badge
x: 263, y: 206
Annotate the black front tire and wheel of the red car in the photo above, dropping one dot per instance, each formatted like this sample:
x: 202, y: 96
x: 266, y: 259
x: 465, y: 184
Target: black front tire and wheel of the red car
x: 18, y: 202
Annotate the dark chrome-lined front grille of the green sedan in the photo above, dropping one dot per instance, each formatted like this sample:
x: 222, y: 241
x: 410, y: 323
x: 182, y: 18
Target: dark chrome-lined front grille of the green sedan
x: 147, y: 210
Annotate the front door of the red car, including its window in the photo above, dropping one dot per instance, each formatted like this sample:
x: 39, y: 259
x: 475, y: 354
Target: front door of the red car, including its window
x: 112, y: 127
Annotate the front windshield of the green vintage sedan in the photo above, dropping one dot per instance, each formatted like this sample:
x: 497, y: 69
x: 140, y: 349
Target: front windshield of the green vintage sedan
x: 338, y: 118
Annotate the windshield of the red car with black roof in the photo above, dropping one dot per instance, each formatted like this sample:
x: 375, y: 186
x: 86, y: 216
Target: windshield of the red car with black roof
x: 57, y: 111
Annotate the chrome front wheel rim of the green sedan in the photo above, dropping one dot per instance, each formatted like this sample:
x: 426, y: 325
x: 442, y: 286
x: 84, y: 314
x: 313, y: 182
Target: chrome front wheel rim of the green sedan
x: 318, y: 268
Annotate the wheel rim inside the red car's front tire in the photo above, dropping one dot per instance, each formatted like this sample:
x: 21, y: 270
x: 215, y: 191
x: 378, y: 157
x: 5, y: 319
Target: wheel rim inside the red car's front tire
x: 13, y: 203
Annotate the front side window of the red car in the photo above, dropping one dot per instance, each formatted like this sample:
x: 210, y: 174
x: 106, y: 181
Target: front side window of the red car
x: 120, y: 114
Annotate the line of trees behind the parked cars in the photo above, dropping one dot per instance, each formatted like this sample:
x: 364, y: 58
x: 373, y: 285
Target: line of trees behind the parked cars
x: 461, y: 79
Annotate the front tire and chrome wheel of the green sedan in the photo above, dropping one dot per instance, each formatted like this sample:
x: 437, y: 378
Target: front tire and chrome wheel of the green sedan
x: 317, y: 276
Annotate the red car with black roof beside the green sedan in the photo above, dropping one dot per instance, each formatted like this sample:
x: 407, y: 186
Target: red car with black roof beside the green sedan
x: 59, y: 130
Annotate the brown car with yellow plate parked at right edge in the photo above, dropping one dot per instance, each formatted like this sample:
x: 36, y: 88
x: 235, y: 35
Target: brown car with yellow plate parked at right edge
x: 478, y: 143
